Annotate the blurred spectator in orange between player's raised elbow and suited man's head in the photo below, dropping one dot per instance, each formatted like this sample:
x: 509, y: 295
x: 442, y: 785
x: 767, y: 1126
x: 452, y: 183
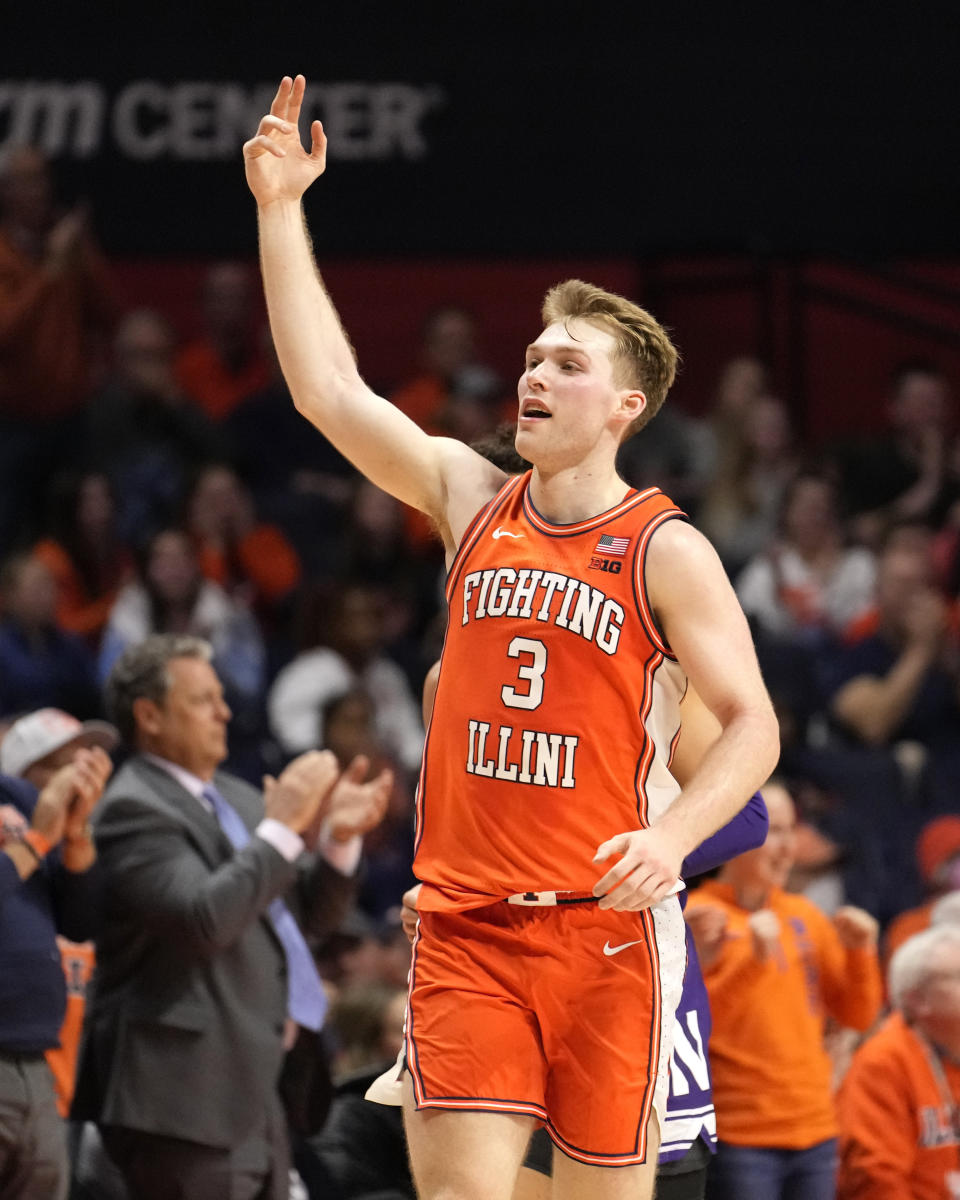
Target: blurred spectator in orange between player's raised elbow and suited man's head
x: 254, y: 562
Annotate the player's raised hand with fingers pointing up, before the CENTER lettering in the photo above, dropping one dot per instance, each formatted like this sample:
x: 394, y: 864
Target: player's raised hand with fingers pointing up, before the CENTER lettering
x: 278, y: 166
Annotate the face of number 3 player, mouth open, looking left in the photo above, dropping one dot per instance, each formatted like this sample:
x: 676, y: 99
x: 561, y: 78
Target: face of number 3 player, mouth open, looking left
x: 569, y: 393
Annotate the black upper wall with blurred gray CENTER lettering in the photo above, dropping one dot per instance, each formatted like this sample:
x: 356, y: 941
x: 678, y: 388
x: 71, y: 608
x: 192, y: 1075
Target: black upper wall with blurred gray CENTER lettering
x: 505, y: 129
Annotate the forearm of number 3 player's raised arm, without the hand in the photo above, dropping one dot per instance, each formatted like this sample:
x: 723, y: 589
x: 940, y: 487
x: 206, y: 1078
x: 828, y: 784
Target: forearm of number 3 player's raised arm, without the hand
x: 314, y: 351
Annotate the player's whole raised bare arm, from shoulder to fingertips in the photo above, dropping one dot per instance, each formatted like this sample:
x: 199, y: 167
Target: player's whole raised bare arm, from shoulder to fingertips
x: 441, y: 477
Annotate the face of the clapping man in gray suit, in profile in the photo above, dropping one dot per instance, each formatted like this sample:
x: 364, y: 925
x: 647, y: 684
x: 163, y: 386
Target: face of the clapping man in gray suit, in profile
x: 190, y: 725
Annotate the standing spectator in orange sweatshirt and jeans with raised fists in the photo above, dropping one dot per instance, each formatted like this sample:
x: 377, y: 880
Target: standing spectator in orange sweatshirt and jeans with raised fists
x: 776, y: 968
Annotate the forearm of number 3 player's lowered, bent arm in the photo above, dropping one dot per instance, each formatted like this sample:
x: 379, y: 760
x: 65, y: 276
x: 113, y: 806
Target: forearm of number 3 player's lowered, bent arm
x: 737, y: 765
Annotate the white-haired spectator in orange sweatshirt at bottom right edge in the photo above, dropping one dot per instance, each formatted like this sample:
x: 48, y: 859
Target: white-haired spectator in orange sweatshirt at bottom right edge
x: 899, y: 1103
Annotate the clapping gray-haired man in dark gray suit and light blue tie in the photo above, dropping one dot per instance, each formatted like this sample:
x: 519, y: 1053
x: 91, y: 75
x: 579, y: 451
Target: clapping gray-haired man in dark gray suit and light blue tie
x: 202, y: 969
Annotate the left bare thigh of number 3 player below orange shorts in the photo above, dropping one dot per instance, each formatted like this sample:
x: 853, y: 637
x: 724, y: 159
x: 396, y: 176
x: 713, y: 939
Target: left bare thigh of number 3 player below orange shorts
x: 464, y: 1156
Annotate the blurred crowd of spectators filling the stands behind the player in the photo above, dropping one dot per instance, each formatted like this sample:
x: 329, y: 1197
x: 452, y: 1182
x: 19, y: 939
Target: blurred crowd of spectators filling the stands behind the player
x: 149, y: 487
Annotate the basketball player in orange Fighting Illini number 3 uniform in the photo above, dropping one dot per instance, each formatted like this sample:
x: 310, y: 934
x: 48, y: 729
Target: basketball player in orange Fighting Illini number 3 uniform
x: 550, y: 831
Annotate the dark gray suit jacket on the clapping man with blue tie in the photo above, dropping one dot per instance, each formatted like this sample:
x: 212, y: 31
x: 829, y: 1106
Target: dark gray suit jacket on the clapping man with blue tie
x: 185, y: 1022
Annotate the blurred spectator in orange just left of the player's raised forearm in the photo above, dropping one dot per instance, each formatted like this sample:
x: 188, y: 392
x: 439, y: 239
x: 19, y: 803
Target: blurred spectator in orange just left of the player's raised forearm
x: 226, y: 364
